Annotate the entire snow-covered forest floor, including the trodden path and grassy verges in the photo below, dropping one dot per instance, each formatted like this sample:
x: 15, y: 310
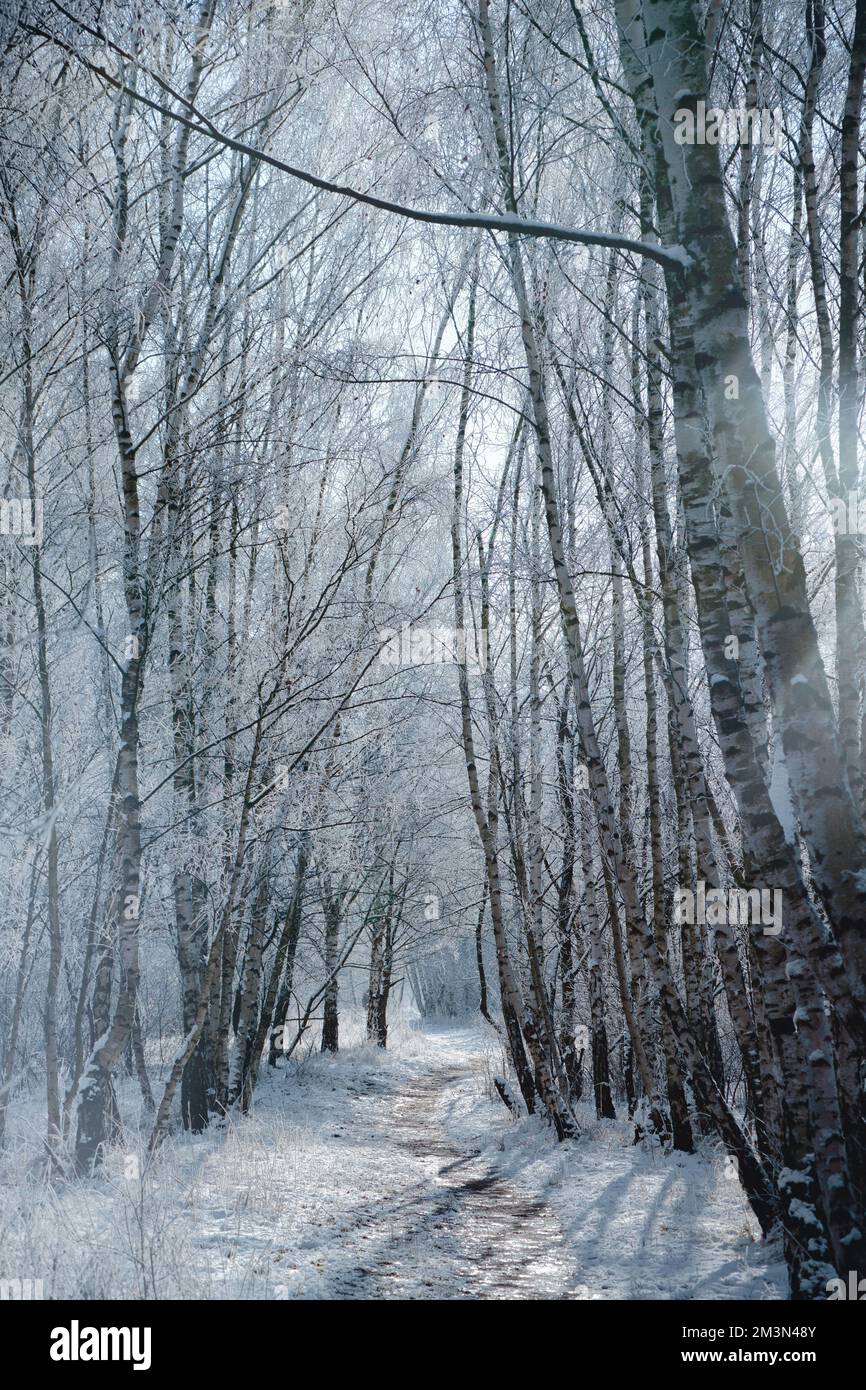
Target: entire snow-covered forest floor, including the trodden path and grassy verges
x: 394, y: 1175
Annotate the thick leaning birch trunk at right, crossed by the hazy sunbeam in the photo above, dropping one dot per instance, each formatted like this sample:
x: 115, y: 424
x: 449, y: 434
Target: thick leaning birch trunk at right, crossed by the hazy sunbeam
x: 828, y: 814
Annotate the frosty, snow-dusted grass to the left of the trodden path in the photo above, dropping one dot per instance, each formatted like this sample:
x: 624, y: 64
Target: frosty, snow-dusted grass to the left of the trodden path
x: 218, y: 1216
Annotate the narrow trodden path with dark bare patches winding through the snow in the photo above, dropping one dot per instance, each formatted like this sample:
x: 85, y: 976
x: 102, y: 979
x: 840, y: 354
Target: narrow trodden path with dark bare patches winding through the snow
x: 462, y: 1229
